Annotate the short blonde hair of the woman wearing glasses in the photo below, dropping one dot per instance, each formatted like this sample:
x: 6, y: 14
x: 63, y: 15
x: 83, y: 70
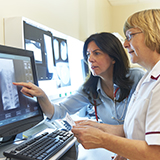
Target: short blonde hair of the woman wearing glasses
x: 148, y: 21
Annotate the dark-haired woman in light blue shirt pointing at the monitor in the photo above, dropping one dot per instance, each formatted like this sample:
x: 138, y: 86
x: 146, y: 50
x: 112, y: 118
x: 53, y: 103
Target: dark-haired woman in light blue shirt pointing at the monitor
x: 109, y: 85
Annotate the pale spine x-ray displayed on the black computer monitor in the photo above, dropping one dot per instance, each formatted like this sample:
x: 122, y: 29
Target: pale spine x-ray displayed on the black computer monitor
x: 9, y: 91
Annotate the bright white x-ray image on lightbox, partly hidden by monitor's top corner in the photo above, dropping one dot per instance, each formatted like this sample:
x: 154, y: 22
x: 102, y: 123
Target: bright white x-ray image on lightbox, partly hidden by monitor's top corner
x: 36, y: 48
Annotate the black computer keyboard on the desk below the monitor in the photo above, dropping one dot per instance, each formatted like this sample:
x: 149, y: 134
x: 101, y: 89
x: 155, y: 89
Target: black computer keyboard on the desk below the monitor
x: 41, y: 147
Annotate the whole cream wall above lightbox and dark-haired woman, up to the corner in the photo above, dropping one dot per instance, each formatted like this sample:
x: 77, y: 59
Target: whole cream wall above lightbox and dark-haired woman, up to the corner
x: 76, y: 18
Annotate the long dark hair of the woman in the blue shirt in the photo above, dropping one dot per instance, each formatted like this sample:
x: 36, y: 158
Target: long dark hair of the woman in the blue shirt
x: 112, y: 46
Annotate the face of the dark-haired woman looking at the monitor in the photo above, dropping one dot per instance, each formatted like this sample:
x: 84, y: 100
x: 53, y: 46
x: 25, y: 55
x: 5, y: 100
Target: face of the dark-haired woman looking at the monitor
x: 100, y: 63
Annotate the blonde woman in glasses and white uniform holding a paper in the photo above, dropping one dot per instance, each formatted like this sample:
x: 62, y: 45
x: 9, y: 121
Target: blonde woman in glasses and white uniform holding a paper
x: 139, y: 137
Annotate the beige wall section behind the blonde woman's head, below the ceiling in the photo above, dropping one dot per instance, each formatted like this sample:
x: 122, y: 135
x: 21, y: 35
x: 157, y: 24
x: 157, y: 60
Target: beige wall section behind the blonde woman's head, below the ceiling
x: 121, y: 13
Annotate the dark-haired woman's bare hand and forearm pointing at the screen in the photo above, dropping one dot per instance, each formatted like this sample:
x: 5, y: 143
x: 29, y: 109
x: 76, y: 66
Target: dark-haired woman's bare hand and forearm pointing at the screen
x: 31, y: 90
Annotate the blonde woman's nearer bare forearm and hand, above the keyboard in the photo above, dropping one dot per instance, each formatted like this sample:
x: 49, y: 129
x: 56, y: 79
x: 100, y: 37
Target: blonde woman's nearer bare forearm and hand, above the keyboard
x: 91, y: 137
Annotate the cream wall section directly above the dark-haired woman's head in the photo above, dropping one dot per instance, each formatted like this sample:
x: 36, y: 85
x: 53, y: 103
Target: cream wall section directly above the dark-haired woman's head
x: 95, y: 16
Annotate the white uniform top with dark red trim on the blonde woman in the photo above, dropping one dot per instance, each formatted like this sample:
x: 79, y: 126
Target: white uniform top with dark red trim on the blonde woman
x: 143, y: 115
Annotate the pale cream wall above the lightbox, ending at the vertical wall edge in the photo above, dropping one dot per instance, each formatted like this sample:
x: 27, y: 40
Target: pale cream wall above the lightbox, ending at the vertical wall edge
x: 57, y: 14
